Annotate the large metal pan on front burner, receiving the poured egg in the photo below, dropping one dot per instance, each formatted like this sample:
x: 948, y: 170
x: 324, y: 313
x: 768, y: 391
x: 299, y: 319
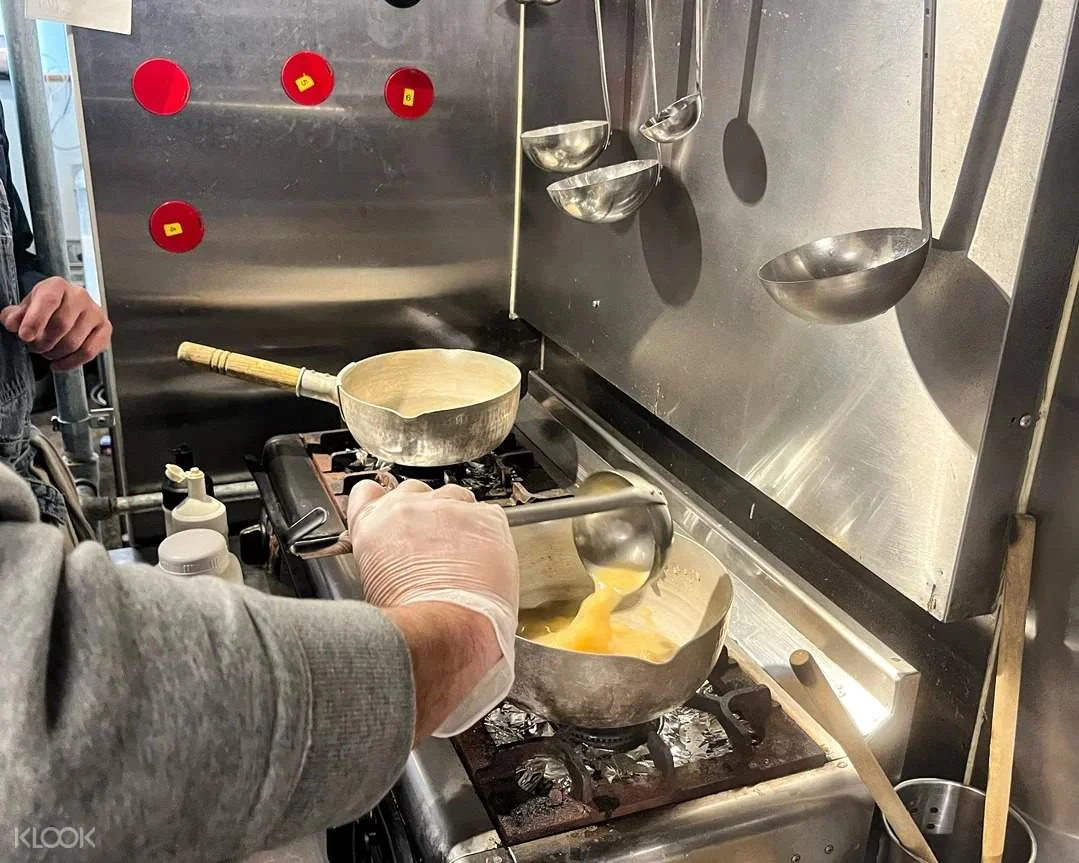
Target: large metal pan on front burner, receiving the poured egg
x: 690, y: 604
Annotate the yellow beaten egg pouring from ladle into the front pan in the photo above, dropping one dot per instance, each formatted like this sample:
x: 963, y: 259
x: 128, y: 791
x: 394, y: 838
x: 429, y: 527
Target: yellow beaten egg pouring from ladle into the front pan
x: 593, y: 629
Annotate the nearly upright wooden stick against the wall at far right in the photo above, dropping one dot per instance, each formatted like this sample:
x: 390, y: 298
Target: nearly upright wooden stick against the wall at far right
x: 1017, y: 594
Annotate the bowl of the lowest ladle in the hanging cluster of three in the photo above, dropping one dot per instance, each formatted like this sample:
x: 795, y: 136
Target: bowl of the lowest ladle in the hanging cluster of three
x: 607, y: 195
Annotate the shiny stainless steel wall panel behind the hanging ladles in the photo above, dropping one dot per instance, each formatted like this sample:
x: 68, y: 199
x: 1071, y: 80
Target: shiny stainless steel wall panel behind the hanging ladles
x: 899, y: 440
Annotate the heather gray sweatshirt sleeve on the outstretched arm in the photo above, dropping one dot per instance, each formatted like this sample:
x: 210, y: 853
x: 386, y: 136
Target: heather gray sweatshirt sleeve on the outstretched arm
x: 183, y: 719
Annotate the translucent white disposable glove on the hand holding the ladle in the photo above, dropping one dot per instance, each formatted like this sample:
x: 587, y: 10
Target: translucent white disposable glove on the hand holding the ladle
x: 418, y: 545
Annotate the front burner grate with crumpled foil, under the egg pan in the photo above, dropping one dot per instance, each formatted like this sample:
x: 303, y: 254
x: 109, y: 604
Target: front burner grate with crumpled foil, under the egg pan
x: 539, y: 780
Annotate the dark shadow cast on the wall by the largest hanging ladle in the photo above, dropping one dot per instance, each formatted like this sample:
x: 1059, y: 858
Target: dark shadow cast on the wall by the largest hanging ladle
x: 954, y: 319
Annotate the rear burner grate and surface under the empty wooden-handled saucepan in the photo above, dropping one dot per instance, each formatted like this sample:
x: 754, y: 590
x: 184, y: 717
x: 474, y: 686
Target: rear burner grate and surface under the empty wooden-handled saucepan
x: 510, y: 476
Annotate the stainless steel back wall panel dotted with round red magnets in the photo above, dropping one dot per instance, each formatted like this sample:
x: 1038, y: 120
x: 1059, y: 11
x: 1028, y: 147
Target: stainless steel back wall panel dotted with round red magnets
x: 334, y: 232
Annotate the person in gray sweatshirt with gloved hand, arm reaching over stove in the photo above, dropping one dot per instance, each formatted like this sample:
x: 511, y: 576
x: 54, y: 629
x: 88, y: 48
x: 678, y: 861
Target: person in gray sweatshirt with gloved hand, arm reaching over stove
x: 148, y: 718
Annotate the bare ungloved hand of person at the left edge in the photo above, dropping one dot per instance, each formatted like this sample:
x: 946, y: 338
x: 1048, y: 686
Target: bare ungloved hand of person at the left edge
x: 61, y: 322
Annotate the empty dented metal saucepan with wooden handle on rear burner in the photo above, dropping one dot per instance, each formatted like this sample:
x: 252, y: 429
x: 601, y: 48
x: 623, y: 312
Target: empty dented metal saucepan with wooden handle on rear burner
x: 427, y: 408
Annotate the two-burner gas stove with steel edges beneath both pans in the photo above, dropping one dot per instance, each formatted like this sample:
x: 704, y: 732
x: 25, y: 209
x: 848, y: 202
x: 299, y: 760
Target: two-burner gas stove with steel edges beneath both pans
x: 740, y: 773
